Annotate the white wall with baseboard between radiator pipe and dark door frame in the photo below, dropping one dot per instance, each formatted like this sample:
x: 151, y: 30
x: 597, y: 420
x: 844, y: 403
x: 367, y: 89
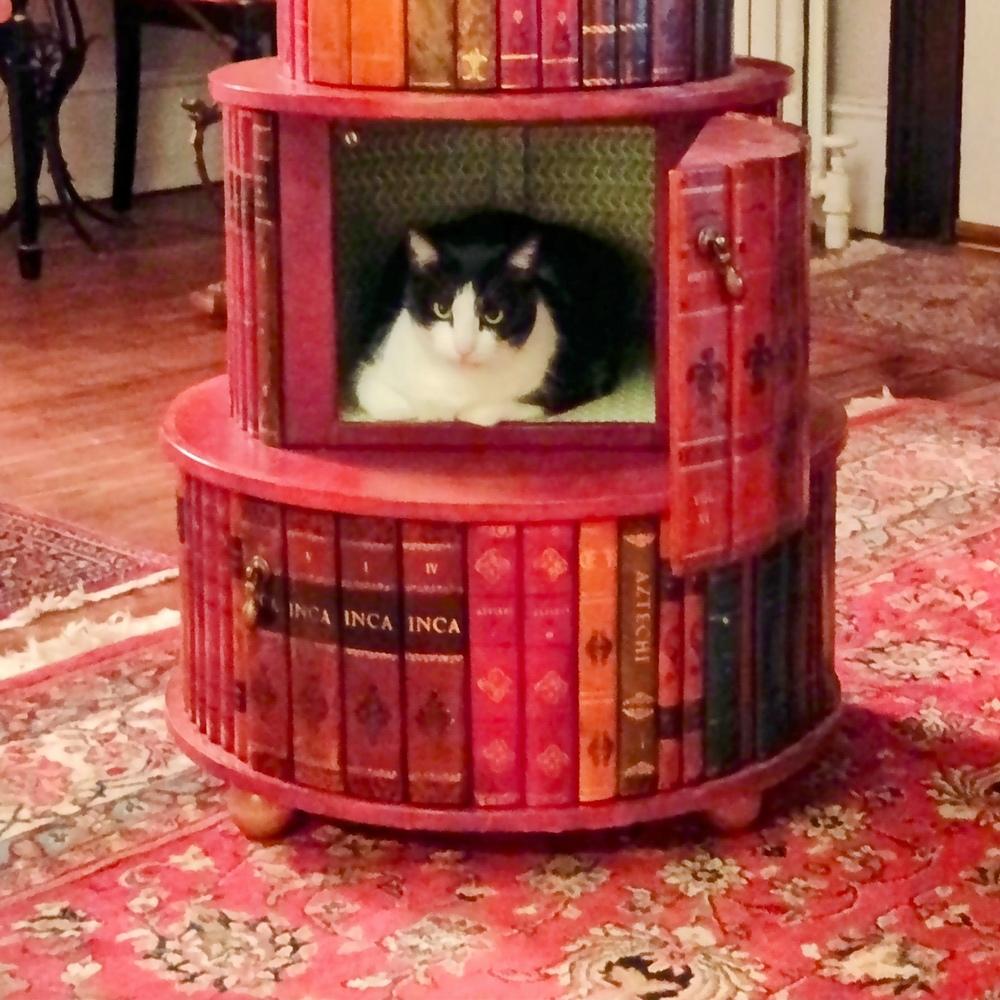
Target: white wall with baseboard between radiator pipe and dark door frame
x: 860, y: 99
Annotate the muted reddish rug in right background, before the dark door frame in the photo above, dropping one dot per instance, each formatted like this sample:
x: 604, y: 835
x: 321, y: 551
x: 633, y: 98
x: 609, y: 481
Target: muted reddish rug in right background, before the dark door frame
x: 936, y: 303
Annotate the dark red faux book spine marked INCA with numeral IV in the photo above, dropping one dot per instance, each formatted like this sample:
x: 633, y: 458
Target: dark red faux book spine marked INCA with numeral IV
x: 436, y: 659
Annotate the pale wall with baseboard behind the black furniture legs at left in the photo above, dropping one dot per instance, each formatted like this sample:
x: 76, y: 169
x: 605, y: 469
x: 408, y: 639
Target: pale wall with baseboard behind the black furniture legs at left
x: 174, y: 66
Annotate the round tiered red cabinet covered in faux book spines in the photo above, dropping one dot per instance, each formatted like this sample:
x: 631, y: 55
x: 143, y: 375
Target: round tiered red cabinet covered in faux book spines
x: 616, y: 616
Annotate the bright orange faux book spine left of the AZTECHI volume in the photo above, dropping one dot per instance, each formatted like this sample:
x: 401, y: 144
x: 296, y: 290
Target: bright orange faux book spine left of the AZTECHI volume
x: 598, y: 660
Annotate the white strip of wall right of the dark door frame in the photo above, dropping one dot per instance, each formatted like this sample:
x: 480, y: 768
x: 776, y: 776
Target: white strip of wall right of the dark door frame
x: 980, y: 191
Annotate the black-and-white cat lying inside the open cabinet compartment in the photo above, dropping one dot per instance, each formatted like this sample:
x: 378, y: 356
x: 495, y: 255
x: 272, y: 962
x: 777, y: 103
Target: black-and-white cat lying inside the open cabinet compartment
x: 497, y: 317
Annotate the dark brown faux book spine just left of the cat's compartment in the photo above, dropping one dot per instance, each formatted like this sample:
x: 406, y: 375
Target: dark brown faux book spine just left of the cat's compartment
x: 267, y: 255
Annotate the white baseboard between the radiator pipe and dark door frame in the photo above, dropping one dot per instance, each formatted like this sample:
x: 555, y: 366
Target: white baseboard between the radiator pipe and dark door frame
x: 867, y: 121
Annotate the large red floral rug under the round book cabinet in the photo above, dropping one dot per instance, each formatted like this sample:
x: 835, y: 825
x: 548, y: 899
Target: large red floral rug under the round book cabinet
x: 875, y: 874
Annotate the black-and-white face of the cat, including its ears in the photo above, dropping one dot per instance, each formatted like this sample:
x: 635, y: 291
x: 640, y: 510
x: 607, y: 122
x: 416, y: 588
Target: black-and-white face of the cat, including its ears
x: 473, y: 304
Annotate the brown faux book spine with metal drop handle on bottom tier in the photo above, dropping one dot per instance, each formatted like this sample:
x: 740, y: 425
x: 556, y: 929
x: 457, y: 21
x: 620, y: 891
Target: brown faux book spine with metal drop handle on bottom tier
x: 263, y: 620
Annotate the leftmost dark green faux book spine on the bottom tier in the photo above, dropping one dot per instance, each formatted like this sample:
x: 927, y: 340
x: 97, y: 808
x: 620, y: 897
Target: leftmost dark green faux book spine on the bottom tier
x: 723, y: 635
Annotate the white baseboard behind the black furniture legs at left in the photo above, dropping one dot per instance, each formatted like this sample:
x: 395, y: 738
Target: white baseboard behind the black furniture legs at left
x: 164, y: 158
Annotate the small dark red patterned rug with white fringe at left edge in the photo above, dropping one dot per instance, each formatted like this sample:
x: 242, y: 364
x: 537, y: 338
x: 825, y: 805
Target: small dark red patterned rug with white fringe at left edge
x: 43, y: 558
